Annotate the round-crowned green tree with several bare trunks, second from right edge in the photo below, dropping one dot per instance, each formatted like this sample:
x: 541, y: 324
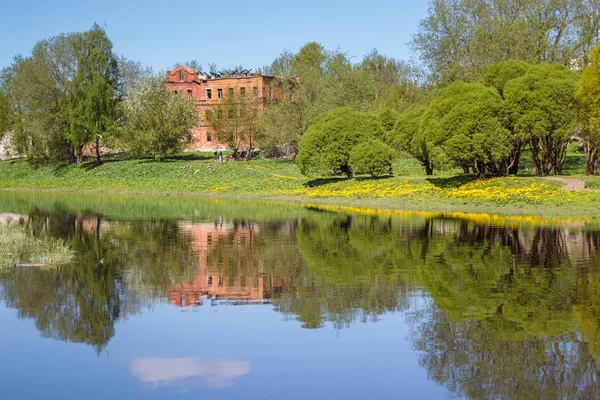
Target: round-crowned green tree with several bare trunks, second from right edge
x: 541, y: 107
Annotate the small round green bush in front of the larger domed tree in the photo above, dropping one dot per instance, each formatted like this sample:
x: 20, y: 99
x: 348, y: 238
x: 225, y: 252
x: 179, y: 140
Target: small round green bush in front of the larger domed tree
x: 373, y: 157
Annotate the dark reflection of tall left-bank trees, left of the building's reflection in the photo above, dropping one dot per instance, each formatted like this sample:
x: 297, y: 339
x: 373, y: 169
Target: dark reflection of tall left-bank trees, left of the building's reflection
x: 81, y: 302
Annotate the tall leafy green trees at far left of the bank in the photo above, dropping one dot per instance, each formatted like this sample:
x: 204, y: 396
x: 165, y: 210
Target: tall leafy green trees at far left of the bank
x: 62, y: 96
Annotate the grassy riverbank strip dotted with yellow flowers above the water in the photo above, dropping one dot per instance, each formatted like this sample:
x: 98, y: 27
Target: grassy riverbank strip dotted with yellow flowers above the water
x: 280, y: 180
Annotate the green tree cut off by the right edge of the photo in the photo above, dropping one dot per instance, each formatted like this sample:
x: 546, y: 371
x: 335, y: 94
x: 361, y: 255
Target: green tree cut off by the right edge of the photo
x: 587, y: 96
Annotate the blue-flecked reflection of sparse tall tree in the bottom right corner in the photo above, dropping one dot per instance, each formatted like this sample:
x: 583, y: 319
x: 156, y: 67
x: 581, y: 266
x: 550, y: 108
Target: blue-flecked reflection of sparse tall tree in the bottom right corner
x: 470, y: 361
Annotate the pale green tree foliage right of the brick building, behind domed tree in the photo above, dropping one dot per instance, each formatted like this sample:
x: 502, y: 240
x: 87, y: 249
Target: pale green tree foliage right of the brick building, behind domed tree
x: 326, y: 80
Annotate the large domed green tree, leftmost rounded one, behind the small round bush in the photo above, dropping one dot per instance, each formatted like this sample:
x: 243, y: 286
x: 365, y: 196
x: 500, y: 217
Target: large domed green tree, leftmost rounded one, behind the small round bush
x: 326, y: 145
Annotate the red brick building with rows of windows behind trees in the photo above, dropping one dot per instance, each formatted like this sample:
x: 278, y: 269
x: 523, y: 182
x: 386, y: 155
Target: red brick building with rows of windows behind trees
x: 209, y: 91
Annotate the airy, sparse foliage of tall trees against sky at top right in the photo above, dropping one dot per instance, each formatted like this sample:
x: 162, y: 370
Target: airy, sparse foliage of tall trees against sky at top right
x: 461, y: 39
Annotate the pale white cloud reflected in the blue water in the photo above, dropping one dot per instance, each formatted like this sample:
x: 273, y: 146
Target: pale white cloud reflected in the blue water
x: 215, y: 372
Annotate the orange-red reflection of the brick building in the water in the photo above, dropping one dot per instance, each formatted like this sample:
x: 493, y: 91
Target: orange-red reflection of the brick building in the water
x: 229, y: 267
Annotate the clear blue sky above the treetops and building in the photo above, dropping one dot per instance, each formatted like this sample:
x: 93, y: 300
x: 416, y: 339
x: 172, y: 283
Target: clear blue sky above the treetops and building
x: 229, y: 33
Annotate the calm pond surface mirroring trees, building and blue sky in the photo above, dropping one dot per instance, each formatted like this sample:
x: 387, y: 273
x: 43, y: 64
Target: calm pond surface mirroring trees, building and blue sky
x: 188, y: 298
